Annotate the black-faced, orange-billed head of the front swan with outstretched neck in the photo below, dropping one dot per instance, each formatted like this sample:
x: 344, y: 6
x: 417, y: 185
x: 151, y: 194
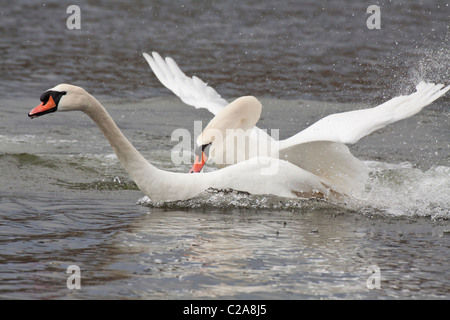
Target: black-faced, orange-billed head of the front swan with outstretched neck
x: 63, y: 97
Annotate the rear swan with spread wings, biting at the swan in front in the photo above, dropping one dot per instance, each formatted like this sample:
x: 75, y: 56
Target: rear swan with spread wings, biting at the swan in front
x: 319, y: 149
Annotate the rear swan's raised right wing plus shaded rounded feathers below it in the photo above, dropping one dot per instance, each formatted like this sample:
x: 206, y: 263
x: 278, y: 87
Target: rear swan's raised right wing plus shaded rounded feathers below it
x: 321, y: 148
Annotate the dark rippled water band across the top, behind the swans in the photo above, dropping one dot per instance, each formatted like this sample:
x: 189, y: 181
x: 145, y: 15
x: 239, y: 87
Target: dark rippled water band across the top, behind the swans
x: 291, y: 49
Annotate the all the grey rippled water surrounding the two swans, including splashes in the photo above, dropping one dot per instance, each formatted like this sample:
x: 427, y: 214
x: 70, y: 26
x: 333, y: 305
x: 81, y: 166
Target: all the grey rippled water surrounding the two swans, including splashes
x: 64, y: 199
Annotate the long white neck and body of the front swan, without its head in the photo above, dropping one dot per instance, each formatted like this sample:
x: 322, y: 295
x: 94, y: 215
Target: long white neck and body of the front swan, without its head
x: 169, y: 186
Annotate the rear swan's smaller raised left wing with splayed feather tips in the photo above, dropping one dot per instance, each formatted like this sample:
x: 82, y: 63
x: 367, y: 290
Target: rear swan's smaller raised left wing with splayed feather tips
x: 192, y: 91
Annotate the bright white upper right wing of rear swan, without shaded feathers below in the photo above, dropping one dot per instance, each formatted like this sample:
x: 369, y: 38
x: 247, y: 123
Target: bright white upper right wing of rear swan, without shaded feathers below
x: 349, y: 127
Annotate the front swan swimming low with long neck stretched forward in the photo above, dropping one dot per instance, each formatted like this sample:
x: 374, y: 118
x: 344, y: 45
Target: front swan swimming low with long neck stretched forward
x: 289, y: 181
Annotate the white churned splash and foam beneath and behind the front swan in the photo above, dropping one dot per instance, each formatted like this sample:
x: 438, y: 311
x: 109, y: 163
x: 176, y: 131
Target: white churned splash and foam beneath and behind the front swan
x: 398, y: 190
